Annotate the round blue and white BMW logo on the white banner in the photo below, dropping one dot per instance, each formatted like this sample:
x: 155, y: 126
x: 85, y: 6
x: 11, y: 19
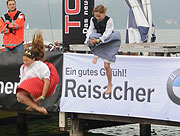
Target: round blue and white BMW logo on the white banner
x: 173, y: 86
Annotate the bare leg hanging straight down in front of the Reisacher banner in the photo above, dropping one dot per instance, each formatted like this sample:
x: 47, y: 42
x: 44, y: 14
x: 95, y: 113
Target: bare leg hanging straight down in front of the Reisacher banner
x: 109, y: 77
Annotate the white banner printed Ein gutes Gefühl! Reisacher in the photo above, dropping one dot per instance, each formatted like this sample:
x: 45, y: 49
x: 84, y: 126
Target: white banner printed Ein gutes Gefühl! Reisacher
x: 143, y: 86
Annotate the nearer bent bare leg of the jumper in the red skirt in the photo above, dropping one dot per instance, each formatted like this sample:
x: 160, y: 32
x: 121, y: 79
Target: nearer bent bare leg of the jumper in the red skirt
x: 25, y: 98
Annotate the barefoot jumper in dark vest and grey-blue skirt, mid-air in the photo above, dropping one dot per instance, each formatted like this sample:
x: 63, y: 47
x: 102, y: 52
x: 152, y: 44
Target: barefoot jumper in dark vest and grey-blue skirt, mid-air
x: 103, y: 42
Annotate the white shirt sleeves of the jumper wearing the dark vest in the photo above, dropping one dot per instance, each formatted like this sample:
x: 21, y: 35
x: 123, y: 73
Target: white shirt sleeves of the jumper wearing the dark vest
x: 108, y: 31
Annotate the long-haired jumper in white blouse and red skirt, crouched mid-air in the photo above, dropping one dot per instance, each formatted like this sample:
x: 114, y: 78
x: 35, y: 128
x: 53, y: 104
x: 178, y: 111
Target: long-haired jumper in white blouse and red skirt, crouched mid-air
x: 38, y: 80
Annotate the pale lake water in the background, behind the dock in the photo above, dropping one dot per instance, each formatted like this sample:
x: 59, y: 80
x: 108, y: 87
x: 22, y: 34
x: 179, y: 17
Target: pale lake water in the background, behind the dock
x: 163, y: 35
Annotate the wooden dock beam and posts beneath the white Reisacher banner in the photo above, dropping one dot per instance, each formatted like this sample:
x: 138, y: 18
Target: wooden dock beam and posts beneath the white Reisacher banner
x: 82, y: 122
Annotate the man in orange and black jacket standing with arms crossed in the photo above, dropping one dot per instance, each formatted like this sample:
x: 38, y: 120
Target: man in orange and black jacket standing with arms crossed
x: 12, y: 26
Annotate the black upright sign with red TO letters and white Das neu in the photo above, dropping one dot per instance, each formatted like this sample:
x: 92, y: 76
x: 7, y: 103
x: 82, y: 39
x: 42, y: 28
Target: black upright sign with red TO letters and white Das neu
x: 76, y: 19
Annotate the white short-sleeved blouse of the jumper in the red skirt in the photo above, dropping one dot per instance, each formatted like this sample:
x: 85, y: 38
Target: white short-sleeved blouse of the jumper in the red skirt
x: 37, y: 69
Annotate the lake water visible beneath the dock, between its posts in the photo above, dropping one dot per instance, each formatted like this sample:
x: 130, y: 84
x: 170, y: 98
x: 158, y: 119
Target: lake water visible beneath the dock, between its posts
x: 49, y: 127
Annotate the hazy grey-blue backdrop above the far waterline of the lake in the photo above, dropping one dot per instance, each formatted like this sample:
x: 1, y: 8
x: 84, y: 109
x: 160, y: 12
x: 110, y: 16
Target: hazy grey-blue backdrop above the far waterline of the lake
x: 165, y: 12
